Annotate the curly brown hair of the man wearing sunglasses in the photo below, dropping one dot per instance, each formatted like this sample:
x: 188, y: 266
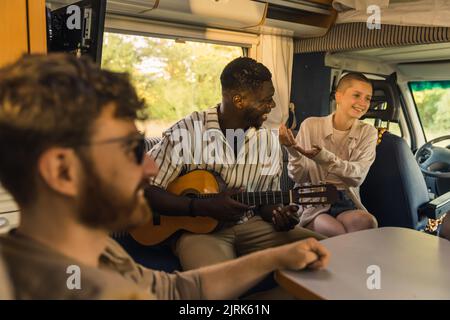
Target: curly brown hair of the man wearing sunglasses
x: 53, y: 100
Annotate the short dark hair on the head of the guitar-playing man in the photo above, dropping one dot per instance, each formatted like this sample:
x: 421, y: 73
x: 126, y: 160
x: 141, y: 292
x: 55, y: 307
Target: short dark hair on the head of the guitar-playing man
x: 243, y: 74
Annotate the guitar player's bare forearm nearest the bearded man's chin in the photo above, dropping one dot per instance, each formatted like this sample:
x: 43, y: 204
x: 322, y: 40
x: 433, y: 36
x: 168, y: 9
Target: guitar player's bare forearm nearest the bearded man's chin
x: 166, y: 203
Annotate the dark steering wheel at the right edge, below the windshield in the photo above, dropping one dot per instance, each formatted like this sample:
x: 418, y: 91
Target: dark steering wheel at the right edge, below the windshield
x: 434, y: 161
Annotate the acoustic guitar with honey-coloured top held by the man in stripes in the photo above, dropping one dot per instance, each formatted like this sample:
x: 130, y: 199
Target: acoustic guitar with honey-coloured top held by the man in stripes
x: 204, y: 184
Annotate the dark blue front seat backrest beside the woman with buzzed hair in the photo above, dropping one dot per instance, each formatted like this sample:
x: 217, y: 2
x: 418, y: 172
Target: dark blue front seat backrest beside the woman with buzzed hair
x: 394, y: 188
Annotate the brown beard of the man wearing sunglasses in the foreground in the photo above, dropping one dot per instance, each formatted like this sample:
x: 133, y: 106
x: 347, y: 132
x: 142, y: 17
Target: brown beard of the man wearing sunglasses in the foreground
x: 102, y: 206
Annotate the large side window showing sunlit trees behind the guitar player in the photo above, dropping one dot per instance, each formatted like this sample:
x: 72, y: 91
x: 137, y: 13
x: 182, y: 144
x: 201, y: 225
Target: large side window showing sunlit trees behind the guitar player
x: 174, y: 77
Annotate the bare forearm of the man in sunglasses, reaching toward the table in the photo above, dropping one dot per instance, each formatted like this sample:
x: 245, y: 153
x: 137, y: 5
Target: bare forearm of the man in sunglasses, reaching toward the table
x: 244, y: 273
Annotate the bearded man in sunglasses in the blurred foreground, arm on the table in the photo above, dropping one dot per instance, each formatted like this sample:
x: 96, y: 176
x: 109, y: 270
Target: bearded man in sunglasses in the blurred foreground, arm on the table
x: 73, y: 160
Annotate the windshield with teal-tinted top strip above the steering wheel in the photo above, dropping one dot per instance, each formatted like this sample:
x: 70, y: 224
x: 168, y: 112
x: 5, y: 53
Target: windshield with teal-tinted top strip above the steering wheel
x: 432, y: 99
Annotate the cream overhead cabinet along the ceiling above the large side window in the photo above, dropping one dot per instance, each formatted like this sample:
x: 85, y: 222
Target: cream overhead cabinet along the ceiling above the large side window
x: 297, y: 18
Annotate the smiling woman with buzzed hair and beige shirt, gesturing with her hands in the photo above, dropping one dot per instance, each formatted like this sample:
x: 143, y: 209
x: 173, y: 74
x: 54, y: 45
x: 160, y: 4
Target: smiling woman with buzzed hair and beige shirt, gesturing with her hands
x: 338, y: 149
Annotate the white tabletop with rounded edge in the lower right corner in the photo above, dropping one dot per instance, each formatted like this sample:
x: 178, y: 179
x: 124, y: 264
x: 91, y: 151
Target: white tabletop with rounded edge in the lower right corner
x: 412, y: 264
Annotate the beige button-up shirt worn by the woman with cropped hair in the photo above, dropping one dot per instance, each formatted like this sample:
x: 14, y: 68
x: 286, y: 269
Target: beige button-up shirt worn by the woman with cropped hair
x: 349, y: 161
